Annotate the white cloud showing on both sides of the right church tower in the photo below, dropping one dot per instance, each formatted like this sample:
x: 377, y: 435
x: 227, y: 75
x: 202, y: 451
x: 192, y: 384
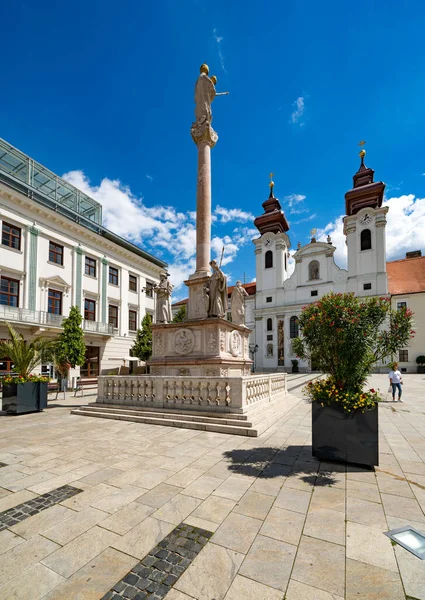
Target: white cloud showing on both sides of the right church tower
x: 405, y: 229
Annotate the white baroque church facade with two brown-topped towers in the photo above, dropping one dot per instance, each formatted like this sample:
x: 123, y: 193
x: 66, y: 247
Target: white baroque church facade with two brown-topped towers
x: 280, y: 297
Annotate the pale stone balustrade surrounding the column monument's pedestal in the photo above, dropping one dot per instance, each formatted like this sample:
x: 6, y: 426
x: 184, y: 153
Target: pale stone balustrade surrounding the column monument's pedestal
x: 213, y: 394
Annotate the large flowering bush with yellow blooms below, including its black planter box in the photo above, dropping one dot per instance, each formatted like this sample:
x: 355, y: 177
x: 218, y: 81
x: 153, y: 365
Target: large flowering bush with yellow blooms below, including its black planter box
x: 345, y: 336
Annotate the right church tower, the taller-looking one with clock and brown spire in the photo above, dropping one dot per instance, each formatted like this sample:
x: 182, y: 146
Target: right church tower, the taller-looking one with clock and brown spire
x: 364, y: 228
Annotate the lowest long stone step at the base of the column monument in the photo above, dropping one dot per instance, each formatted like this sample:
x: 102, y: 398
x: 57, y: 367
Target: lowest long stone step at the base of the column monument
x: 137, y: 418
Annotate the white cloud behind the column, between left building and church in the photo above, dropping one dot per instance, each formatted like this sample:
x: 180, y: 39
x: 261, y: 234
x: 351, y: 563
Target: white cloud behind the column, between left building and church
x: 160, y: 229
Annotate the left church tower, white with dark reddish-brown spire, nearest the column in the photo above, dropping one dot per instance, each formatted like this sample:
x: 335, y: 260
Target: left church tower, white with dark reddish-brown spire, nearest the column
x: 272, y: 248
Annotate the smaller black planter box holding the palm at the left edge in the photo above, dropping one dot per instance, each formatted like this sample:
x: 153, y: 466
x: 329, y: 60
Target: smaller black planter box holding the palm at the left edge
x: 20, y: 398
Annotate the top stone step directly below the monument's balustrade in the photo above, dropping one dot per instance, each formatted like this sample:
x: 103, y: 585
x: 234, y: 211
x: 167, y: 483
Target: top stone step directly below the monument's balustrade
x: 225, y: 419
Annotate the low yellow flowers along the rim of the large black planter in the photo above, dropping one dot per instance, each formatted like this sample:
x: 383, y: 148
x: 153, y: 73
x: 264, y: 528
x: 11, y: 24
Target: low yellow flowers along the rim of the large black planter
x: 328, y: 393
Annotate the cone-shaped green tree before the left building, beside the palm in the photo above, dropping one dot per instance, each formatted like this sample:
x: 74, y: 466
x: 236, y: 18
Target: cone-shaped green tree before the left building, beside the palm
x: 70, y: 348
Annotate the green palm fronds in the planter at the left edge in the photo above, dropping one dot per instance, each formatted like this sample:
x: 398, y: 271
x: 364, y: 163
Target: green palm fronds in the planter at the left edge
x: 26, y: 355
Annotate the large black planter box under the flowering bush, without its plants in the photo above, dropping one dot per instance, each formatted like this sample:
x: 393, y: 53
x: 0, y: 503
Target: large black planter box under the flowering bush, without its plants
x: 342, y: 437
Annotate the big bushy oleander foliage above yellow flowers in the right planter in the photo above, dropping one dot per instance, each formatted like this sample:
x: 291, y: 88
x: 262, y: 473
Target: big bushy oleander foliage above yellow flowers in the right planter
x: 345, y: 335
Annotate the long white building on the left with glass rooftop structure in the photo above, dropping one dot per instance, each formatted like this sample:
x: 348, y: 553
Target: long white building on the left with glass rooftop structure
x: 55, y: 253
